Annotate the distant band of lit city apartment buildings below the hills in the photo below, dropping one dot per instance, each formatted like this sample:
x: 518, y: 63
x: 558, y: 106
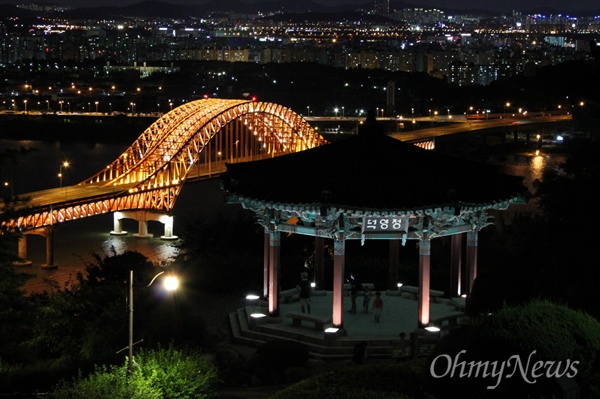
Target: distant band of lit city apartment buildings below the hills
x: 427, y: 41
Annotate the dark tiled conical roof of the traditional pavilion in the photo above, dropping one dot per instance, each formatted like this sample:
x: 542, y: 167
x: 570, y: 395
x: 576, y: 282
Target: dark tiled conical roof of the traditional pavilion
x: 372, y: 171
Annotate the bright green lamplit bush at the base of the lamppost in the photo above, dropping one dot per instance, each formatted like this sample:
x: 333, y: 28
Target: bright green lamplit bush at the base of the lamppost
x: 162, y: 373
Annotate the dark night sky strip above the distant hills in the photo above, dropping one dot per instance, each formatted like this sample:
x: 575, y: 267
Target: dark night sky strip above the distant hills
x: 493, y: 5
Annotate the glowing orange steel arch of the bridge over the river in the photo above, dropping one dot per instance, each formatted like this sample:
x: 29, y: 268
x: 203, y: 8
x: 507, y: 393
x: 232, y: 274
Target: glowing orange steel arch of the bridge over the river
x: 193, y: 140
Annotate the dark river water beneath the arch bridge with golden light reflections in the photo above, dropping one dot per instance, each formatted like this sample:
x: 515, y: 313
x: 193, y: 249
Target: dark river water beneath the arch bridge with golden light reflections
x: 76, y: 241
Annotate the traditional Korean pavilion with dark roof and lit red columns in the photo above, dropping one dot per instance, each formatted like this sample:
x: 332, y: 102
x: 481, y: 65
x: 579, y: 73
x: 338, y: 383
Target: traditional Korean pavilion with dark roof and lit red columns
x: 371, y: 186
